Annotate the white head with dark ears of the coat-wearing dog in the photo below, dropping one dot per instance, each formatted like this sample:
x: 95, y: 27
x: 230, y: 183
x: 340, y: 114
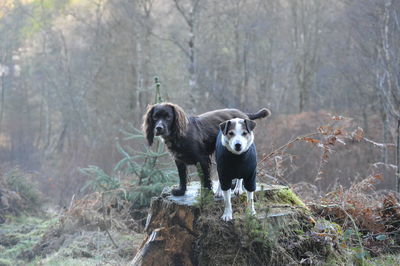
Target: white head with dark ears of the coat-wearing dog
x: 237, y: 134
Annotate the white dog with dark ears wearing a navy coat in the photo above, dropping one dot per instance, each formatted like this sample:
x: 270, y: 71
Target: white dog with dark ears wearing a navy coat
x: 236, y: 157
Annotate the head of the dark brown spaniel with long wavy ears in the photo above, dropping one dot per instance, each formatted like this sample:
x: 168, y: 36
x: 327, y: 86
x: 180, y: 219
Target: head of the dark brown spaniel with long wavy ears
x: 164, y: 119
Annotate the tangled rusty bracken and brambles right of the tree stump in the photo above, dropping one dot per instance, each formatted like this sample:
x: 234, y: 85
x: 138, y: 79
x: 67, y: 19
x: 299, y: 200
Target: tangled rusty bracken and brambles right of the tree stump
x: 369, y: 221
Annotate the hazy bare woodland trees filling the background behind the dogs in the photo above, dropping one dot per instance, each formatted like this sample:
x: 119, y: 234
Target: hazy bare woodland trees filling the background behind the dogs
x: 76, y: 74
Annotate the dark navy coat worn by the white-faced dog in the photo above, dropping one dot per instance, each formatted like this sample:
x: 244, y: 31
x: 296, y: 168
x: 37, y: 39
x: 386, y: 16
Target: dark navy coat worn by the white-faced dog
x: 231, y: 166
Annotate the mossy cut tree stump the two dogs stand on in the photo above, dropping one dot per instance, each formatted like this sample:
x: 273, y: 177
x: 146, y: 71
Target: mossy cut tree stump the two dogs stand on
x: 180, y: 232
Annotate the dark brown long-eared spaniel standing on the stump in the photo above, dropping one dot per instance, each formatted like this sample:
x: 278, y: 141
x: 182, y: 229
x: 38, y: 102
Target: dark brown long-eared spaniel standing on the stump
x: 191, y: 139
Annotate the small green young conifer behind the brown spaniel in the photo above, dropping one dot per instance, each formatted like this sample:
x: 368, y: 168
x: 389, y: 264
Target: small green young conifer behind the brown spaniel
x: 139, y: 175
